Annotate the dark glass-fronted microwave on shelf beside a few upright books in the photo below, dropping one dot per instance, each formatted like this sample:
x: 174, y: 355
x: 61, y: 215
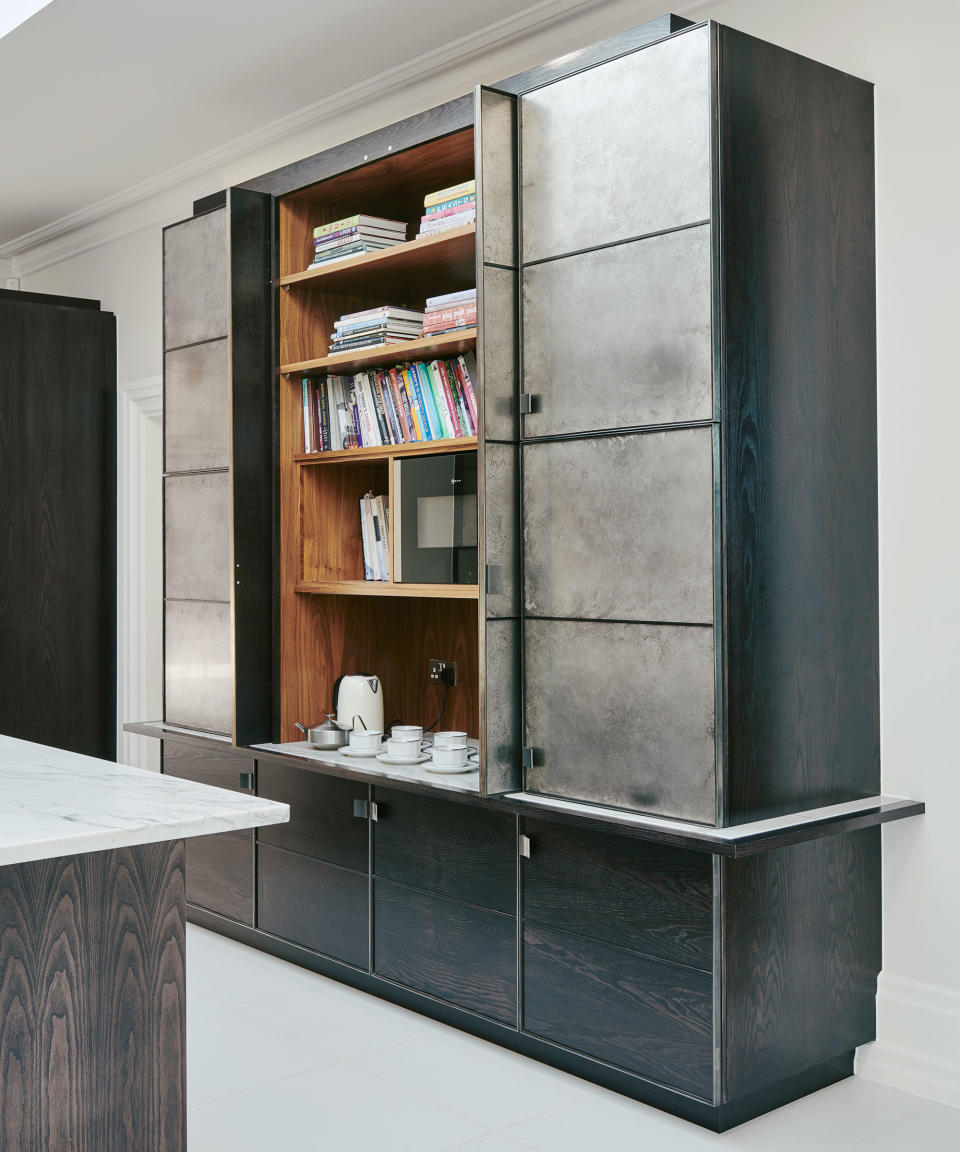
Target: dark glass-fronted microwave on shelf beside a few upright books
x: 435, y: 530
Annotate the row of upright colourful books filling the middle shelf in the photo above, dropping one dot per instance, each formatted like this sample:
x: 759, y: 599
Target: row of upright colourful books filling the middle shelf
x: 405, y: 405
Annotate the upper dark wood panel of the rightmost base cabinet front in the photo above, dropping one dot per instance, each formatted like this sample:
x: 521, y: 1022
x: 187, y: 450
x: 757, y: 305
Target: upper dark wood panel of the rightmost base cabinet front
x: 648, y: 898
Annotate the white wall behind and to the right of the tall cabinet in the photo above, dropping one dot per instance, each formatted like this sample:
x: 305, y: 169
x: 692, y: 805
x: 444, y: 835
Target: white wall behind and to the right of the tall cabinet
x: 909, y: 52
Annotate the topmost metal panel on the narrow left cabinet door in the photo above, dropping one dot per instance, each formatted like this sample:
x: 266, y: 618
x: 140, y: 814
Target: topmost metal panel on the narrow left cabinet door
x: 196, y: 275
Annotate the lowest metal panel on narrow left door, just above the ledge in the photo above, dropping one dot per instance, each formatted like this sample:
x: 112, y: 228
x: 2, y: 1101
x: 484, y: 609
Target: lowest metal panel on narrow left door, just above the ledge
x: 199, y: 668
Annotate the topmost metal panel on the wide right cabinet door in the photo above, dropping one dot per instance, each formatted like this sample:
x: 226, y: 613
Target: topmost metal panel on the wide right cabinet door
x: 619, y: 150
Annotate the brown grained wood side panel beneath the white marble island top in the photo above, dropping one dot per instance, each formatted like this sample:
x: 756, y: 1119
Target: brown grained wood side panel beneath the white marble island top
x: 93, y: 1045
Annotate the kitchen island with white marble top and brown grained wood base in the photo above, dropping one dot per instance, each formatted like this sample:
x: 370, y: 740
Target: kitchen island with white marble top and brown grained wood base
x: 93, y: 1004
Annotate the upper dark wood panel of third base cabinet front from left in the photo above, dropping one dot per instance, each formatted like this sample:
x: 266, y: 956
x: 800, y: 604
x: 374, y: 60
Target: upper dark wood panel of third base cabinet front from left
x: 445, y: 848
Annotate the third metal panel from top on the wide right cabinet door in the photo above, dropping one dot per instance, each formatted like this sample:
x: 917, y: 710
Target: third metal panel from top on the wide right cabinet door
x: 621, y: 528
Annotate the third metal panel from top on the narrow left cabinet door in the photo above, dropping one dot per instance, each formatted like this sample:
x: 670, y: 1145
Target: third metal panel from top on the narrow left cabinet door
x: 198, y: 536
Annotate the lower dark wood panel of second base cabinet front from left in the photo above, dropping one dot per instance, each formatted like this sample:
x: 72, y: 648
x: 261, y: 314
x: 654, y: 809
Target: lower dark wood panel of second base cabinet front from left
x: 313, y: 904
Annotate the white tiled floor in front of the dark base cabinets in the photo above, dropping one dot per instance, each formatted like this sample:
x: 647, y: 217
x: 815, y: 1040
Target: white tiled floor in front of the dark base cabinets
x: 282, y: 1060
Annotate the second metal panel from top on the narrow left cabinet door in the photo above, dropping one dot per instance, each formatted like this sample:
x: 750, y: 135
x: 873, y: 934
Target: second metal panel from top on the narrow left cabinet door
x: 196, y: 410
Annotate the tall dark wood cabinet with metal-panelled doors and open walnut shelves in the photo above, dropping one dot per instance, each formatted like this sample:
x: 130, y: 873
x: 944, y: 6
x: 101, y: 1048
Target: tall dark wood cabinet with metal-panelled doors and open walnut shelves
x: 666, y: 876
